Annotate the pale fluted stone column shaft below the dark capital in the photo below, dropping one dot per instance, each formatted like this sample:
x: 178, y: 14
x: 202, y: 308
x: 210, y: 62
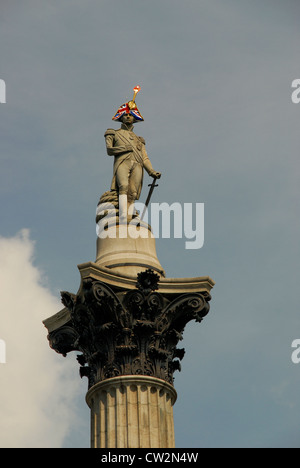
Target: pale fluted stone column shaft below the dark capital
x: 132, y: 412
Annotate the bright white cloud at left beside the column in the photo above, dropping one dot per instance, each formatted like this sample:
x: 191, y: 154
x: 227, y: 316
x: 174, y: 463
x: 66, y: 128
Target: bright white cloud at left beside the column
x: 37, y: 386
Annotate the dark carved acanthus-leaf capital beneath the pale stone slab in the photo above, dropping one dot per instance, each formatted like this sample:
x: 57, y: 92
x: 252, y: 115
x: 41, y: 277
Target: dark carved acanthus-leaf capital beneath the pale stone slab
x: 133, y: 332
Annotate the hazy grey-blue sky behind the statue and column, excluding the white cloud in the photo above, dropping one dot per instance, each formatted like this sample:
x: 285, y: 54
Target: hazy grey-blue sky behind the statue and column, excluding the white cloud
x: 220, y: 125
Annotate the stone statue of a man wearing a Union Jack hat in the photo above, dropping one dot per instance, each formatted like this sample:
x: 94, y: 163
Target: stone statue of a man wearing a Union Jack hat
x: 130, y: 156
